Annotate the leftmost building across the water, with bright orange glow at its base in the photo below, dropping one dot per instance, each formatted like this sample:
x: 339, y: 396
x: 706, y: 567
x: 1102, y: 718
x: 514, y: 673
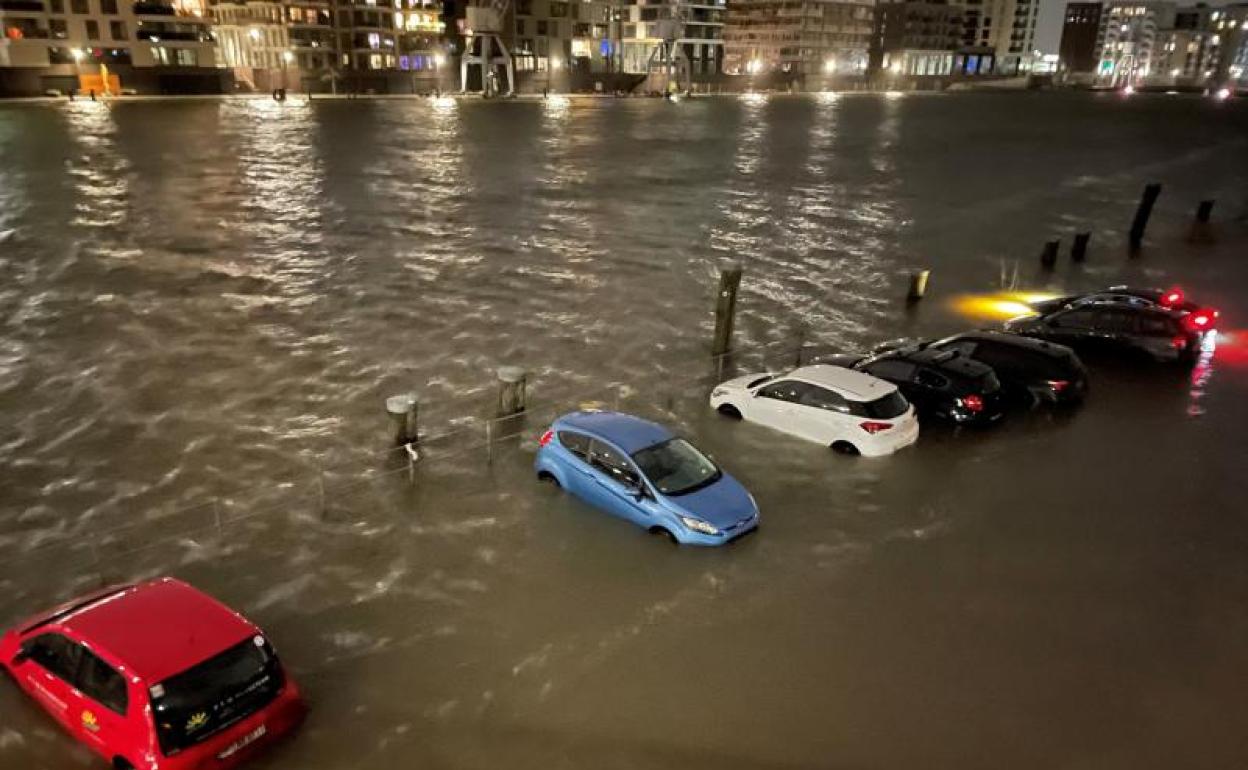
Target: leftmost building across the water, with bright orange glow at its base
x: 108, y: 47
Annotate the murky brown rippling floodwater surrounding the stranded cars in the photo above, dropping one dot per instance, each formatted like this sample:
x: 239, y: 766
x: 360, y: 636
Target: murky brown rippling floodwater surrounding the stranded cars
x: 205, y: 304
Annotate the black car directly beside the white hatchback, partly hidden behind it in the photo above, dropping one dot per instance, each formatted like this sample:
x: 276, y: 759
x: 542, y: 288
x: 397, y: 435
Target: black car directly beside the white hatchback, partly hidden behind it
x: 940, y: 384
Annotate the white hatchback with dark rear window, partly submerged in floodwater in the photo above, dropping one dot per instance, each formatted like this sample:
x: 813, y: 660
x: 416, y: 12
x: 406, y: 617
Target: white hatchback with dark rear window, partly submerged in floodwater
x: 842, y: 409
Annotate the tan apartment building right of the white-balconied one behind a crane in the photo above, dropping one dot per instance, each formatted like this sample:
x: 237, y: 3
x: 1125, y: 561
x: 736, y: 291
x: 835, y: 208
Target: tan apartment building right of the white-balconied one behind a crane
x: 807, y: 38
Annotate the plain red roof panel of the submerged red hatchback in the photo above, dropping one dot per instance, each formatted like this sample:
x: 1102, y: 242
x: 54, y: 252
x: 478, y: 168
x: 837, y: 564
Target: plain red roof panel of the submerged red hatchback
x: 160, y: 628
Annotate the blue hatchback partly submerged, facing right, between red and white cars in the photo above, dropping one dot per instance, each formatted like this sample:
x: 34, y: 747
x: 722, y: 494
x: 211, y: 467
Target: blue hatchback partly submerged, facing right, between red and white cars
x: 642, y: 472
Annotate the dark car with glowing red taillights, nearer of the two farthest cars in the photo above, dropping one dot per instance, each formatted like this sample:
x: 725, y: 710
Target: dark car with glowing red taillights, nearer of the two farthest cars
x: 1159, y: 333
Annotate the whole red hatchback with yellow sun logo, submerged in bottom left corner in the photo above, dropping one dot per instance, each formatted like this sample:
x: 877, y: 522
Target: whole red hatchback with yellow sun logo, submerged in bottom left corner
x: 155, y: 677
